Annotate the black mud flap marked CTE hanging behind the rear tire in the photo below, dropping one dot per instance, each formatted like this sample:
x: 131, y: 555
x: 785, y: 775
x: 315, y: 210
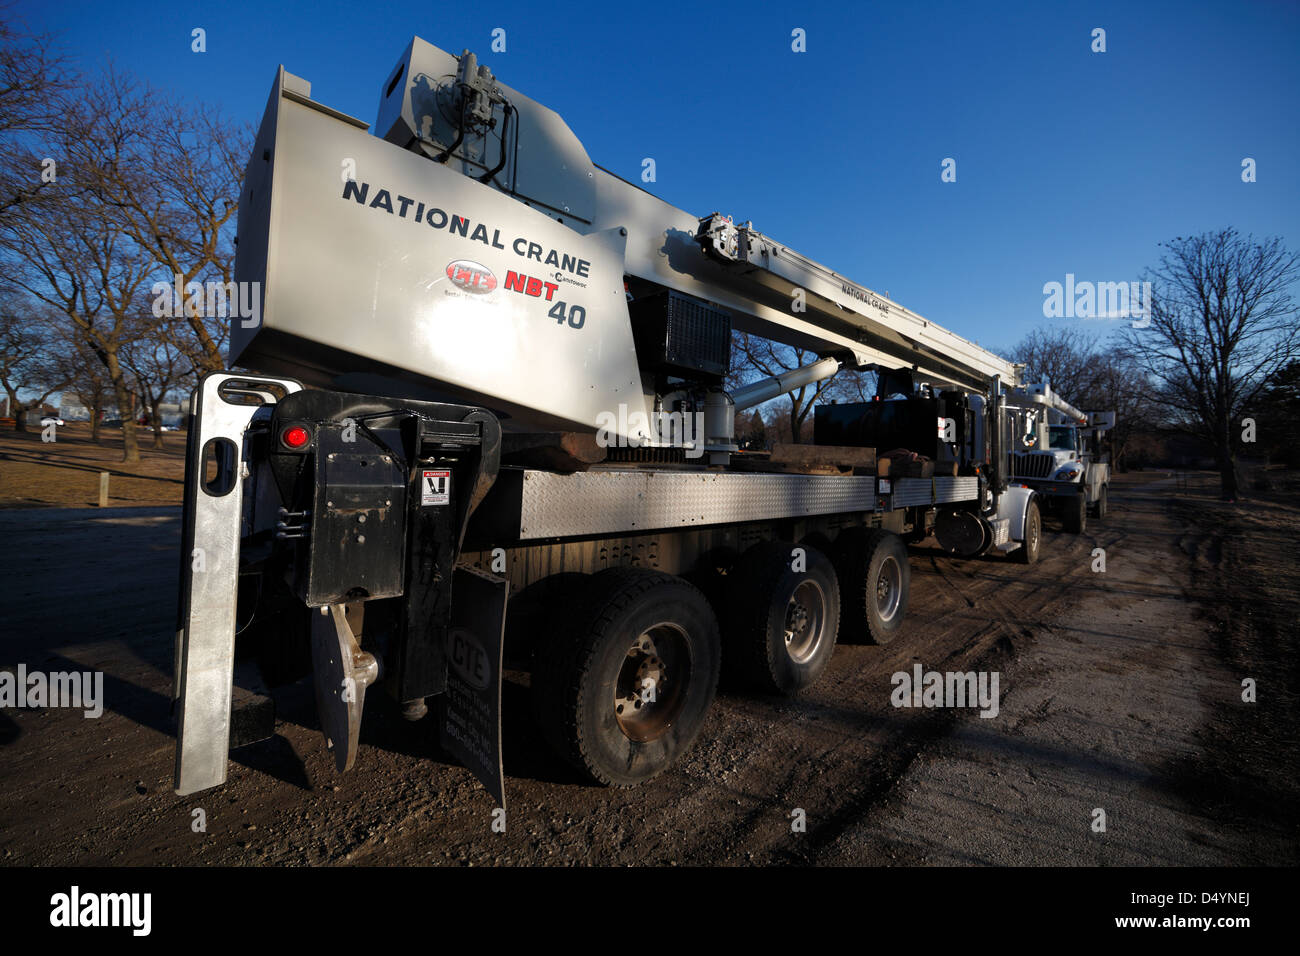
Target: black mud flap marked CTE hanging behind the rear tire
x: 470, y: 712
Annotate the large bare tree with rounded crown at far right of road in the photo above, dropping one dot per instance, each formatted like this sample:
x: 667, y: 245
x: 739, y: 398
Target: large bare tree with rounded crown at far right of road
x: 1223, y: 322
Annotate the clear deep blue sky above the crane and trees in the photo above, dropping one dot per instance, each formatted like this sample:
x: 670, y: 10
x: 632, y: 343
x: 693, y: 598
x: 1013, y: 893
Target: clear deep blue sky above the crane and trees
x: 1068, y: 162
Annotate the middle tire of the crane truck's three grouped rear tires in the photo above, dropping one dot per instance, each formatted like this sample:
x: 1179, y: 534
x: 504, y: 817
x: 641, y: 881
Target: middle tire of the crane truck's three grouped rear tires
x: 782, y: 624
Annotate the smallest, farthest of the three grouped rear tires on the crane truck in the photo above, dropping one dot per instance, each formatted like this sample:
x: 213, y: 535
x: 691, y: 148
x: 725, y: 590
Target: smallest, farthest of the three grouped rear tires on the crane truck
x: 876, y: 579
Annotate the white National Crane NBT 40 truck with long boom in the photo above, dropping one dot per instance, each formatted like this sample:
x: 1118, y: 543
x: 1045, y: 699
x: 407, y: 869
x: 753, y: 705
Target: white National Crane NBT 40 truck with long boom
x: 482, y: 423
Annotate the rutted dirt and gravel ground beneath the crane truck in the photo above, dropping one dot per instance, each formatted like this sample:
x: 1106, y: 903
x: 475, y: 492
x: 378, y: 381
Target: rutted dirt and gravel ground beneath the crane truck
x: 1120, y: 690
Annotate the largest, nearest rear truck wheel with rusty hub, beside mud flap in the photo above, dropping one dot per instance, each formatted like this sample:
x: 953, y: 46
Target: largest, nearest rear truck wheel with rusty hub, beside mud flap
x: 623, y: 693
